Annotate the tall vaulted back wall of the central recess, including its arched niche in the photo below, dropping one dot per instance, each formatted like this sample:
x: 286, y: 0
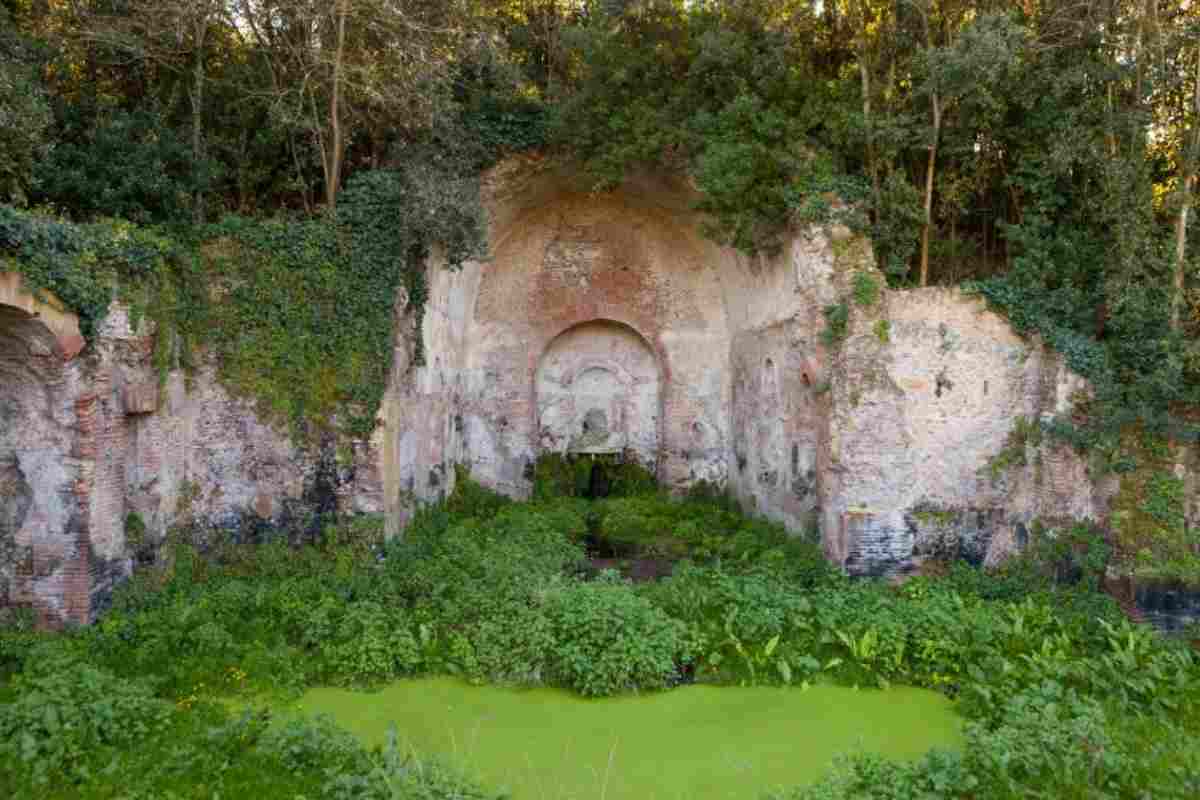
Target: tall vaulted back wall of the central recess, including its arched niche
x: 631, y: 268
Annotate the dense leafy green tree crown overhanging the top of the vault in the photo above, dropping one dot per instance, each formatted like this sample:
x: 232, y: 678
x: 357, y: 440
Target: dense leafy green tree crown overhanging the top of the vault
x: 711, y: 91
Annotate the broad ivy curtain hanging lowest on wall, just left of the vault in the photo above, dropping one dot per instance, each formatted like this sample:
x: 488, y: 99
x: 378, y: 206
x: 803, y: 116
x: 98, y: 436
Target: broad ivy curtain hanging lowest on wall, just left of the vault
x: 314, y: 304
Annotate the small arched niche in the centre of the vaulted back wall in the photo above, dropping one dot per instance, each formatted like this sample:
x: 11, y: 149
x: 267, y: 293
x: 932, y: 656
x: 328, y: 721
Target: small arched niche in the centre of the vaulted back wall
x: 598, y: 392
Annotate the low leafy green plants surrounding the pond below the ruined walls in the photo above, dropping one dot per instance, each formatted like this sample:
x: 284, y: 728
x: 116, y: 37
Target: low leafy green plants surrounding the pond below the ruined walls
x: 1047, y: 670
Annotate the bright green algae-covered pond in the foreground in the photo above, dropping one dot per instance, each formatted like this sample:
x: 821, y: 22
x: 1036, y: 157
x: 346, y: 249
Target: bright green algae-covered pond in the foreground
x: 697, y: 742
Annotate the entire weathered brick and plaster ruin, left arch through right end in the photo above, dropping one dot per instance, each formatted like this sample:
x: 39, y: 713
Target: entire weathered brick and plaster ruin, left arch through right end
x: 601, y: 323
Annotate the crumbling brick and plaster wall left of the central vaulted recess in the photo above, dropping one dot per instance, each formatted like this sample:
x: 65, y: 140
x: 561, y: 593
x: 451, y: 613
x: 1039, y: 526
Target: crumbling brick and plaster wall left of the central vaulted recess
x: 91, y: 436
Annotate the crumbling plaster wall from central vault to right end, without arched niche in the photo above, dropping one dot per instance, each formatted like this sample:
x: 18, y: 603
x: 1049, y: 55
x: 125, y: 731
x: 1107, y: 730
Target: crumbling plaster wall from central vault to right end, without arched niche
x: 880, y: 443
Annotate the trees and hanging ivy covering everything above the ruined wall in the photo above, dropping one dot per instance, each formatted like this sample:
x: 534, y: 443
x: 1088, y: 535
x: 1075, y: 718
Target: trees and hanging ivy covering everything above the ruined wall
x: 1043, y: 157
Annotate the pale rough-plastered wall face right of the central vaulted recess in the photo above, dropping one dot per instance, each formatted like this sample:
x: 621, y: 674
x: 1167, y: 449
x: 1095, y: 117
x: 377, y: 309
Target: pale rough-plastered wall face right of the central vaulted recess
x: 926, y: 392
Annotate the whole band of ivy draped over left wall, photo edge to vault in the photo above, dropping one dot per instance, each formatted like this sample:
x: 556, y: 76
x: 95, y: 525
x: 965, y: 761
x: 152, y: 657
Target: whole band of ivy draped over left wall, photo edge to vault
x: 313, y: 299
